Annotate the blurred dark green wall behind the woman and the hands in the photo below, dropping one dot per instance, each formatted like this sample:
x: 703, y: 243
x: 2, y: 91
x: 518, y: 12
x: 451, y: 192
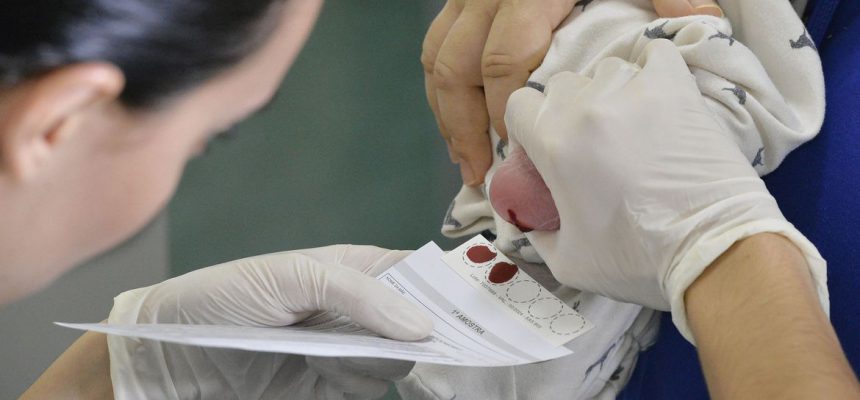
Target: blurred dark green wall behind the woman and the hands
x: 349, y: 152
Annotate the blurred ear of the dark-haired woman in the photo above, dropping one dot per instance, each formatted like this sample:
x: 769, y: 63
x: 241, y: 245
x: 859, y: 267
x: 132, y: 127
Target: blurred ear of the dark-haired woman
x: 37, y: 115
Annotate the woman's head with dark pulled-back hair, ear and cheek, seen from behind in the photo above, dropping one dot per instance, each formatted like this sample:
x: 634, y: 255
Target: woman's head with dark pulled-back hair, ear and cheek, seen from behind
x: 102, y: 102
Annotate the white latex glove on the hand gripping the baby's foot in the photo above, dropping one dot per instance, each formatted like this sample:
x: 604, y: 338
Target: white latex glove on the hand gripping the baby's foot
x: 649, y: 188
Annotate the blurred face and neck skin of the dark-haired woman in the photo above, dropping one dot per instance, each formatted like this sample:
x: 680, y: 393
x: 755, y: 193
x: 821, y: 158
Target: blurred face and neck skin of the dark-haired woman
x: 118, y: 168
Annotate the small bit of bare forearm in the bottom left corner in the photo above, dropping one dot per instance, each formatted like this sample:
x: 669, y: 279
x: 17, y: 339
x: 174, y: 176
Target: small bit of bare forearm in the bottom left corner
x: 81, y: 372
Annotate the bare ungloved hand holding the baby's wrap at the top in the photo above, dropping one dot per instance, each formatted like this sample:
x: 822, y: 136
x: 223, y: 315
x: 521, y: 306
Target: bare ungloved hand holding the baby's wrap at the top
x: 476, y: 53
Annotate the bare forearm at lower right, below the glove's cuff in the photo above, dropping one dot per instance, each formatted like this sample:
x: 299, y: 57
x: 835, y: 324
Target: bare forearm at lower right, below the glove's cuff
x: 760, y: 330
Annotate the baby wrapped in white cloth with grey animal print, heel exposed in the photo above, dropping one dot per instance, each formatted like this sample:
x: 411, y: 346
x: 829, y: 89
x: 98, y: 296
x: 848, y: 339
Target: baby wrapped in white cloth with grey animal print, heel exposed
x: 759, y: 73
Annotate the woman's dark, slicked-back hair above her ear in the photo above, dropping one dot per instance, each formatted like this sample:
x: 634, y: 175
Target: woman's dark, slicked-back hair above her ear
x: 162, y: 46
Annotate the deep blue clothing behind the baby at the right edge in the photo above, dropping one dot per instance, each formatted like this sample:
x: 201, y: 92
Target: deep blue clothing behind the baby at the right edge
x: 818, y: 189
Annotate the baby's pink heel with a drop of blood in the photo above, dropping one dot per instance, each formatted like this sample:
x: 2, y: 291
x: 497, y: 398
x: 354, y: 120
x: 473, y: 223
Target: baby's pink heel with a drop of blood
x: 520, y: 196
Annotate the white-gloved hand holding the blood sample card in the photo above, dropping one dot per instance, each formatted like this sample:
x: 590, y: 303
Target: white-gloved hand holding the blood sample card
x: 271, y: 290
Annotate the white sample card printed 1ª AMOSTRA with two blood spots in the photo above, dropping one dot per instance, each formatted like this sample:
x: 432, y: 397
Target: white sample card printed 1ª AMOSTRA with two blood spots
x: 486, y: 312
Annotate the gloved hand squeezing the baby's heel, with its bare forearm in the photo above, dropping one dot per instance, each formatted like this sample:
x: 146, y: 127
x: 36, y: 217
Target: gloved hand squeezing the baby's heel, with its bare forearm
x: 658, y: 206
